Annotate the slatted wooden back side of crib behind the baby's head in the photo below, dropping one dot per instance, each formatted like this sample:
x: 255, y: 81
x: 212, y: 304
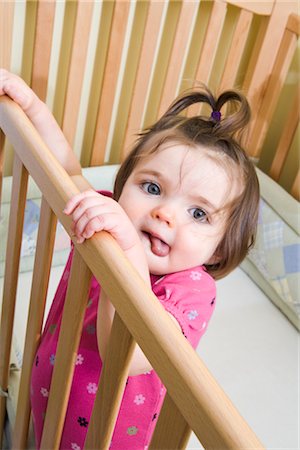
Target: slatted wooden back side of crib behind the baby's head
x: 108, y: 69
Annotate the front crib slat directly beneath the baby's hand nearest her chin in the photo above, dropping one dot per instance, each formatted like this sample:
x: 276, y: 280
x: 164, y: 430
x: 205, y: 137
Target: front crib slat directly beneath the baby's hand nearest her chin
x: 69, y: 336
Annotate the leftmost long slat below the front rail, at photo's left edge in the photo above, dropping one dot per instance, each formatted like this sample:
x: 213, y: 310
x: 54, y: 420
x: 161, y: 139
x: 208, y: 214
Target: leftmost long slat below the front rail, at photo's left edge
x: 14, y: 240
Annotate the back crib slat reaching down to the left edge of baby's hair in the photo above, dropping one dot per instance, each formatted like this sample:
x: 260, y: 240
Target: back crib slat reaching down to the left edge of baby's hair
x: 146, y: 61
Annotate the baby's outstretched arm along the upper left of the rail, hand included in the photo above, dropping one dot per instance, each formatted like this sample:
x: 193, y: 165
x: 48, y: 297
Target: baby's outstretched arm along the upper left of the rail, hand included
x: 42, y: 119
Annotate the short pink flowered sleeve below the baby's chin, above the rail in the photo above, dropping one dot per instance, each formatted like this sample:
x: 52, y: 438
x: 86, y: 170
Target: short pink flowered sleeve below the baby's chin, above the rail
x: 190, y: 297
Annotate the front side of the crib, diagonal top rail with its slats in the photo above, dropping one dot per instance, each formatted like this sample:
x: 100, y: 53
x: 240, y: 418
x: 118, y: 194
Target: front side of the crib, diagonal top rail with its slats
x: 194, y: 398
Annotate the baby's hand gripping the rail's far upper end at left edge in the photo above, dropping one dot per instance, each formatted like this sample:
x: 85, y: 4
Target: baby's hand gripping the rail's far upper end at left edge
x: 19, y: 91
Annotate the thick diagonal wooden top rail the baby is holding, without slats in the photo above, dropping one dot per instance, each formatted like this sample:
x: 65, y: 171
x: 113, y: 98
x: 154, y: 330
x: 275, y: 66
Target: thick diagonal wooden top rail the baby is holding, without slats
x: 202, y: 402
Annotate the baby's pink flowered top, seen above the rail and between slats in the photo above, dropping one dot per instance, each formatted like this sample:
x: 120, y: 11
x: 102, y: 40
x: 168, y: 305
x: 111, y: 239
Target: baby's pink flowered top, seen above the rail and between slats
x: 188, y: 295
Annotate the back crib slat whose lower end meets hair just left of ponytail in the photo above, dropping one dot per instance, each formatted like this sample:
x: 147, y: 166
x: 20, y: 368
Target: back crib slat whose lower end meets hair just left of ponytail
x: 171, y: 84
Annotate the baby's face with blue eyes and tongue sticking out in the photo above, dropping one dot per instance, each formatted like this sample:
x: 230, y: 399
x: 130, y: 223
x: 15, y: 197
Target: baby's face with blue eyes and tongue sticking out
x: 175, y: 198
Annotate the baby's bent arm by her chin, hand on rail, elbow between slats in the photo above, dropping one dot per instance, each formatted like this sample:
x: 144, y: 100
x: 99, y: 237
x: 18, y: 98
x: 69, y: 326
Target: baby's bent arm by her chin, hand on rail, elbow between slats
x: 92, y: 212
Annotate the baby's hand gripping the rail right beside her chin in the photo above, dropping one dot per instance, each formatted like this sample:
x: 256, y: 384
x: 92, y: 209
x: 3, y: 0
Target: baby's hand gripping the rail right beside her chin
x: 92, y: 212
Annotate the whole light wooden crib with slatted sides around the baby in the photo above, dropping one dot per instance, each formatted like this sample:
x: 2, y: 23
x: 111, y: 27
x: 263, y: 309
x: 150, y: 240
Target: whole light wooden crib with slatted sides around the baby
x: 143, y: 54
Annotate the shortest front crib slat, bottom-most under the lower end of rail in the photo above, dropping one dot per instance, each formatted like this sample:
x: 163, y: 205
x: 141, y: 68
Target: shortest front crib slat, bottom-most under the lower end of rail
x: 172, y: 430
